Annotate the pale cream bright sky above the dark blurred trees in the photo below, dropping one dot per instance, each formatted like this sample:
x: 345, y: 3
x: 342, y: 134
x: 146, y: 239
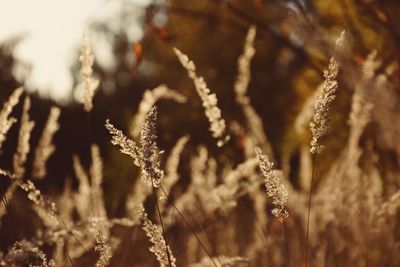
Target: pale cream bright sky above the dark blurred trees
x: 54, y: 31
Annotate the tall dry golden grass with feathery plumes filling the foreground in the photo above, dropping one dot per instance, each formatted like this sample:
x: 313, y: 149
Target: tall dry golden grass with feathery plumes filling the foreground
x: 190, y: 208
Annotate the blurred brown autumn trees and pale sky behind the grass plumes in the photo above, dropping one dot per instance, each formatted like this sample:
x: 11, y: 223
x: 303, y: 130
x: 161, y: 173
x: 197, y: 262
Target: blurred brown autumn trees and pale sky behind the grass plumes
x: 133, y: 42
